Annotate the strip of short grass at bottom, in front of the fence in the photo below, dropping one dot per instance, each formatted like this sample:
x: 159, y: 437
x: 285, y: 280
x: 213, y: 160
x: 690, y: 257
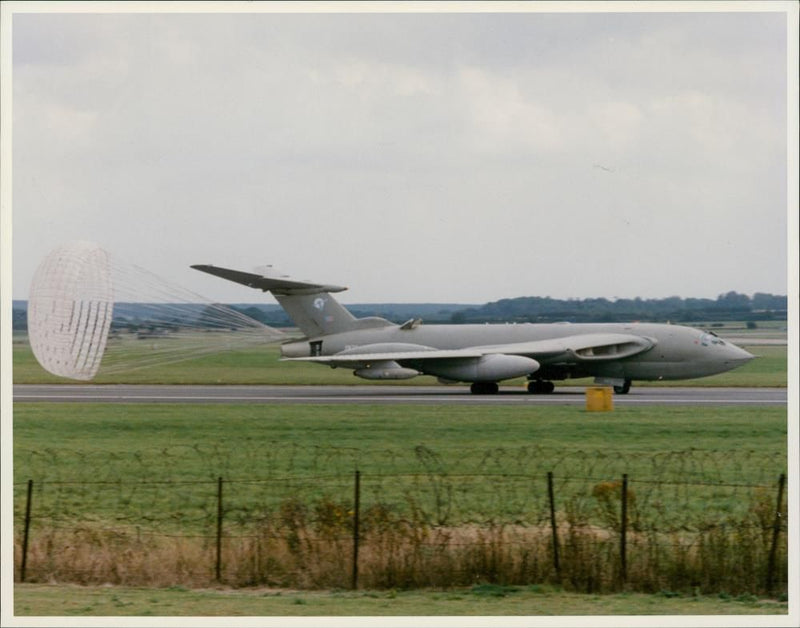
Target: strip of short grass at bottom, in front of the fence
x: 55, y: 600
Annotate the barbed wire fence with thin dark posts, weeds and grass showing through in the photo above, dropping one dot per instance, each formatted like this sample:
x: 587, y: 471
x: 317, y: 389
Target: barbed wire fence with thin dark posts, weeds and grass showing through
x: 435, y: 528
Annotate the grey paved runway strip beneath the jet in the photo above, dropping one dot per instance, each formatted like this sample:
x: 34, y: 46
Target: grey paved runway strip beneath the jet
x: 420, y: 395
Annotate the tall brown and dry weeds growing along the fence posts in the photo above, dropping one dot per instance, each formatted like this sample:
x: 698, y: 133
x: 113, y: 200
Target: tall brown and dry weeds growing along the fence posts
x: 310, y: 546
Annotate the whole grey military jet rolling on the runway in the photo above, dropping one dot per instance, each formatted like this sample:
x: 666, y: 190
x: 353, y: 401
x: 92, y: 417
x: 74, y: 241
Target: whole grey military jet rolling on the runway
x: 614, y: 354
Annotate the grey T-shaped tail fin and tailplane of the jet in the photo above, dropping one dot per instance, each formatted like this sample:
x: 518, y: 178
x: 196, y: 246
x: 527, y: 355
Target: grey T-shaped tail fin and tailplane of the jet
x: 310, y: 305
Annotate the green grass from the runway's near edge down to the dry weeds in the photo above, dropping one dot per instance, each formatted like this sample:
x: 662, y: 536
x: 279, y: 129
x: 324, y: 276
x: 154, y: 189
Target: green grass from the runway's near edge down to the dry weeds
x: 457, y: 462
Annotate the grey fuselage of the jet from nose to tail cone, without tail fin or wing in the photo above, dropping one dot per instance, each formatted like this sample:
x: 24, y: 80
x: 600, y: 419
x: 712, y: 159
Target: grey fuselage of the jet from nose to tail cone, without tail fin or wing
x: 678, y: 353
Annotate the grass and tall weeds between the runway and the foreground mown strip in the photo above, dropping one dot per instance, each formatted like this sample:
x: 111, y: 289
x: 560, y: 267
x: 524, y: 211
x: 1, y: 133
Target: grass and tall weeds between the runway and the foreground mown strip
x: 108, y: 475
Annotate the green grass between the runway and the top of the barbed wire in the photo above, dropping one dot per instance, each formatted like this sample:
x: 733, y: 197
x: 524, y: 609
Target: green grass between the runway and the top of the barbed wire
x: 190, y: 441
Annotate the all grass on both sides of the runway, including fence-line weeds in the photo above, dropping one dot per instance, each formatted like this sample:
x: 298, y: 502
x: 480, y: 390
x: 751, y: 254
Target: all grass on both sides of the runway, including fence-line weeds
x: 105, y: 474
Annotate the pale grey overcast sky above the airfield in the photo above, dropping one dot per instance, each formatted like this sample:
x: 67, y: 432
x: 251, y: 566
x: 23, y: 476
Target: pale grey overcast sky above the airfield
x: 412, y: 157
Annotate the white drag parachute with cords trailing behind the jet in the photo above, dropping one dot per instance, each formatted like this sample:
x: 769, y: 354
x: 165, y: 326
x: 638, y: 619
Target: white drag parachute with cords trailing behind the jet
x: 90, y: 314
